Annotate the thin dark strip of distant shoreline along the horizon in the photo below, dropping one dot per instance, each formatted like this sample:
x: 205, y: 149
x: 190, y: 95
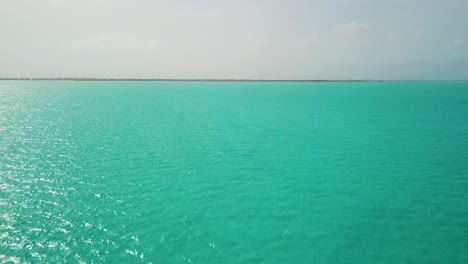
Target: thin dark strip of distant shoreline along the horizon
x: 213, y: 80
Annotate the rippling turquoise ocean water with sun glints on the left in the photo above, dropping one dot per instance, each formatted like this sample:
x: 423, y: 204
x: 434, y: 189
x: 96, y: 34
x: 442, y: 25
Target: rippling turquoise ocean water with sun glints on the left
x: 213, y: 172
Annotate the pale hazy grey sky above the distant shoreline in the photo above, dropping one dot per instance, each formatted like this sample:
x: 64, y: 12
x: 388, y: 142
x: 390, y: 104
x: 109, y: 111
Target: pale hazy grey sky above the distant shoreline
x: 272, y: 39
